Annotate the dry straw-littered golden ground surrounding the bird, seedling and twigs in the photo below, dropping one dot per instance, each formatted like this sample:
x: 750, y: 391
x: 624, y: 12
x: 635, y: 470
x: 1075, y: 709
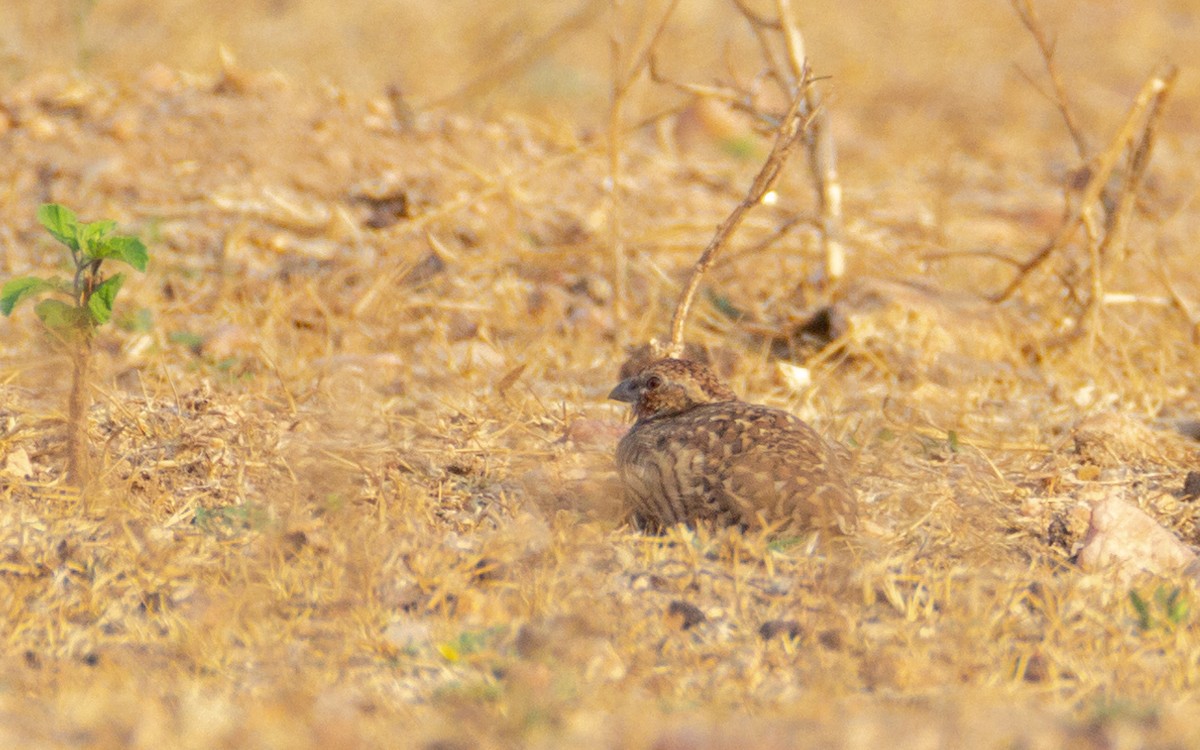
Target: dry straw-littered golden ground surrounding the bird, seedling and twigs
x: 352, y: 481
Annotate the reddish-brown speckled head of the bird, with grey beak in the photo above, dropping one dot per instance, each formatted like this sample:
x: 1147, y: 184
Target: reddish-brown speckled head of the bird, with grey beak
x: 670, y: 387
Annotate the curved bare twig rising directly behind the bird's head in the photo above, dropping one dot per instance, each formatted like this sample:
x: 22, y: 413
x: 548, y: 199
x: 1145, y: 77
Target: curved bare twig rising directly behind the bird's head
x: 790, y: 133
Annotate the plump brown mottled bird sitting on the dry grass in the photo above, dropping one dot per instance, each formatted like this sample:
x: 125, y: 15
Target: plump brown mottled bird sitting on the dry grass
x: 697, y: 453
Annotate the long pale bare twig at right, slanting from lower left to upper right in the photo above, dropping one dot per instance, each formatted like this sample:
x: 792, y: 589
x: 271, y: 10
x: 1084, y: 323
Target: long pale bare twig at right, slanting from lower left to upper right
x: 1139, y: 118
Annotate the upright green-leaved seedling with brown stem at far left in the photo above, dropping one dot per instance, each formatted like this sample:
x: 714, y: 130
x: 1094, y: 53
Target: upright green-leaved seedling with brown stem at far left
x: 75, y: 308
